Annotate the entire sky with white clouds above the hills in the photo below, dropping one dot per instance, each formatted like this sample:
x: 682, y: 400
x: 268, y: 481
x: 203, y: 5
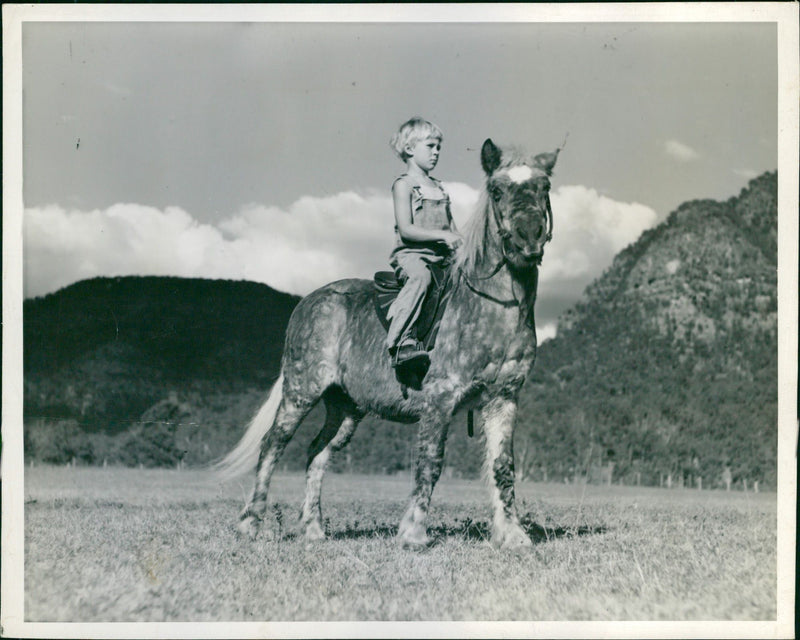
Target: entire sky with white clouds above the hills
x: 260, y: 151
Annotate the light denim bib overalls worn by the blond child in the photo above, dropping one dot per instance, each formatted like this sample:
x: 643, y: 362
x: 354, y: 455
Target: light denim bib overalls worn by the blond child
x: 430, y: 209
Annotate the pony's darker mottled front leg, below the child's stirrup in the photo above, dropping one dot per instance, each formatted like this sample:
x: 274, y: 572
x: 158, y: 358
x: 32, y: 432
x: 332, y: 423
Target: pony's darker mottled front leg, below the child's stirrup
x: 432, y: 436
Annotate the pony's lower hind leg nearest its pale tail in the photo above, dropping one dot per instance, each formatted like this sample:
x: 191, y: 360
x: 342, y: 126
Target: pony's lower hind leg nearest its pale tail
x: 289, y: 416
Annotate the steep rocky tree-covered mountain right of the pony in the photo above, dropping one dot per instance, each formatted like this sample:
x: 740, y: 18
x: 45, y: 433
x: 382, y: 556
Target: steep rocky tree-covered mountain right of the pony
x: 668, y: 366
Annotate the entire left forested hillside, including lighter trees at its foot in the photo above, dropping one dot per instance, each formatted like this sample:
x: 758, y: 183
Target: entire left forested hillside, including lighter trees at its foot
x: 115, y: 365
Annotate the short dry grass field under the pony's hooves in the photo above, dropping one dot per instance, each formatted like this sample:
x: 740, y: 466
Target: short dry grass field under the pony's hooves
x: 139, y: 545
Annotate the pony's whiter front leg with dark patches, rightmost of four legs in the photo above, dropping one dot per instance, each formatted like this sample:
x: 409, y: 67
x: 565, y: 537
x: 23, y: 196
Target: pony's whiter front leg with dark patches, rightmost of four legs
x: 498, y: 416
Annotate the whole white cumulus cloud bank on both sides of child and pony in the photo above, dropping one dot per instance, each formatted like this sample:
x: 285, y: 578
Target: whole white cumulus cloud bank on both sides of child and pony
x: 313, y: 241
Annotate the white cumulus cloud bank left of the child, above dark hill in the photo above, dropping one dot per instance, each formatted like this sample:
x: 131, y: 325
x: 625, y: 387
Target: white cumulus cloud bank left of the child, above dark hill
x: 295, y: 250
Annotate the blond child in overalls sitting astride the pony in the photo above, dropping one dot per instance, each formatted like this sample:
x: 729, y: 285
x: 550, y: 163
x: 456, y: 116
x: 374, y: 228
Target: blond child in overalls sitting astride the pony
x: 424, y: 230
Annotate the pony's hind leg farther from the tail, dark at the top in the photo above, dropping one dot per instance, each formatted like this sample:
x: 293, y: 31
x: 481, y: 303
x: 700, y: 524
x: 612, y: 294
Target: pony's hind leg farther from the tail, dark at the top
x: 339, y: 428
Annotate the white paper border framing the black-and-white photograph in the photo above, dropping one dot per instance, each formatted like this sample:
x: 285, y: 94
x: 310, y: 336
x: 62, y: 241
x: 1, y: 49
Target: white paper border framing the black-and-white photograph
x: 784, y: 14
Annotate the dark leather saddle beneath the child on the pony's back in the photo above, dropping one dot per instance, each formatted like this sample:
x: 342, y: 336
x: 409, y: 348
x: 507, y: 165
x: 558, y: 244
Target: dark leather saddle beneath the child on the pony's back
x: 387, y: 287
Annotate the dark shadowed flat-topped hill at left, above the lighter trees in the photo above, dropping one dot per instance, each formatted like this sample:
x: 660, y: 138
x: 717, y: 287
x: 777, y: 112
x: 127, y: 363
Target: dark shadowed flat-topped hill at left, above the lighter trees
x: 102, y: 352
